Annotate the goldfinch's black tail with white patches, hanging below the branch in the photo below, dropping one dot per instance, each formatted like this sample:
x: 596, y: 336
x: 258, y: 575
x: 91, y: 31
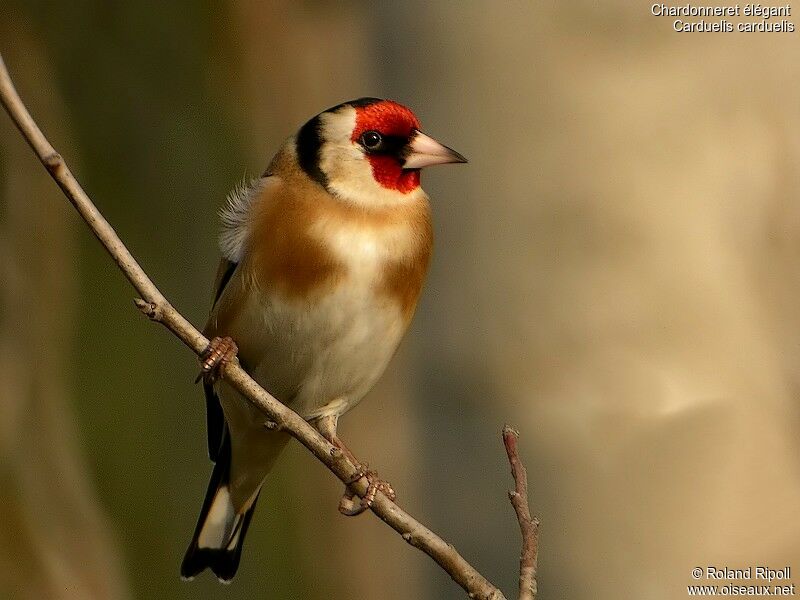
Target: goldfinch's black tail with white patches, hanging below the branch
x: 217, y: 542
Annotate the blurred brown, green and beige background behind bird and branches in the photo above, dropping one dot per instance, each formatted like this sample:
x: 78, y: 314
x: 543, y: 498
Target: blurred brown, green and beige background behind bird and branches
x: 615, y: 274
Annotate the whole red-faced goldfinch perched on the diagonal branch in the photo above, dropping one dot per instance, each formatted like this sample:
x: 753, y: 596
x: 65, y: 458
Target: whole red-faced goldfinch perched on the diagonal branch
x: 323, y: 260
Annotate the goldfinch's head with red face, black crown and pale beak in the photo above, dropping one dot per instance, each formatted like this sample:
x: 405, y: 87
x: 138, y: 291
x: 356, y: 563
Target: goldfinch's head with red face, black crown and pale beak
x: 369, y: 151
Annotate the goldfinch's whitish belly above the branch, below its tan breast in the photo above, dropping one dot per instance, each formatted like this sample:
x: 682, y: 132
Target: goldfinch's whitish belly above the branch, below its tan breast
x: 321, y: 357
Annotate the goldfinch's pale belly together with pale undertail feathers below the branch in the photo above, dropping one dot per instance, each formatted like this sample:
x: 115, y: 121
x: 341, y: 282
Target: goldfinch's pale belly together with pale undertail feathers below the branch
x: 318, y: 361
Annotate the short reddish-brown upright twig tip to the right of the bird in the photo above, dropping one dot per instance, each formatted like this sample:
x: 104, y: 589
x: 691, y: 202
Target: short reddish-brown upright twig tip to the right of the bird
x: 528, y: 526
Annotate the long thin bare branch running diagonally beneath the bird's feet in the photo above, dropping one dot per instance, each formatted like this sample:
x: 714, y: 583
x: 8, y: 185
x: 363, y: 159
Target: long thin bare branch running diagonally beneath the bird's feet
x: 157, y: 308
